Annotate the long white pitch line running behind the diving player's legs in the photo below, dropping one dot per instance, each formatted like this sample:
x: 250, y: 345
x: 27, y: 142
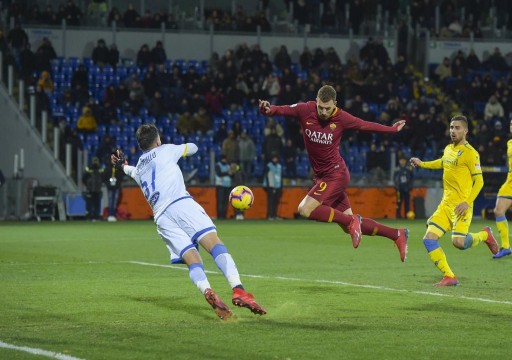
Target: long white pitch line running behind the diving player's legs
x: 344, y: 283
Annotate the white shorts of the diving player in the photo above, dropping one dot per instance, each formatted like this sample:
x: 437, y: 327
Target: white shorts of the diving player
x: 182, y: 225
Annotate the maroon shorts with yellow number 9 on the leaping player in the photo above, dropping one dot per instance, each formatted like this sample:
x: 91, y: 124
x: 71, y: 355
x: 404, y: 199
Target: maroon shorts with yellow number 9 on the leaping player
x: 331, y: 190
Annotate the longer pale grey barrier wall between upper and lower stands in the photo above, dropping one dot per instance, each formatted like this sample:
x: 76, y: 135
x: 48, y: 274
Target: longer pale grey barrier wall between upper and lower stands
x: 198, y: 46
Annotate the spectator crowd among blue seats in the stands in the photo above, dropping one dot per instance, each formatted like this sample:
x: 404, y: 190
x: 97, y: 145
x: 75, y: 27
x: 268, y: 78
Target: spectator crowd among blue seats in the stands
x: 217, y: 99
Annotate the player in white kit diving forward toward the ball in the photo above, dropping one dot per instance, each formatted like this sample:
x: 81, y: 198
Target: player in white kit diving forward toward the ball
x: 181, y: 222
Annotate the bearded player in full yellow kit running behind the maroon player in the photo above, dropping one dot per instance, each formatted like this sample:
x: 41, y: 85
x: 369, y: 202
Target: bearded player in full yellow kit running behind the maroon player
x: 462, y: 181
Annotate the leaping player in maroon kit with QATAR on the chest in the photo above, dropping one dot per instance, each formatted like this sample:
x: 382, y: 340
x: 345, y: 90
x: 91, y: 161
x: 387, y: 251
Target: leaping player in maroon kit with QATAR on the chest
x: 323, y: 124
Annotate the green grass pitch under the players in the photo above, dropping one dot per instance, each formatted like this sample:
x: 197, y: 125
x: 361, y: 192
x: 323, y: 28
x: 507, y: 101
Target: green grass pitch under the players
x: 106, y: 291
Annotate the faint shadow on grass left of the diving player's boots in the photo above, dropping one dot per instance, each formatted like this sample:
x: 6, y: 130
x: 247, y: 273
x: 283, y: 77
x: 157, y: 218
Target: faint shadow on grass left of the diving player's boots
x: 174, y: 303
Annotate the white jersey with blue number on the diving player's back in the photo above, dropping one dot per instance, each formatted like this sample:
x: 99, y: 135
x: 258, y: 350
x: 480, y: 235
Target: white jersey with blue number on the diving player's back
x: 159, y: 176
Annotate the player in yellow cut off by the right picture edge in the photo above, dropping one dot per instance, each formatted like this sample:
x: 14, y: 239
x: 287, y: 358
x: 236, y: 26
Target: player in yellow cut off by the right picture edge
x: 503, y: 202
